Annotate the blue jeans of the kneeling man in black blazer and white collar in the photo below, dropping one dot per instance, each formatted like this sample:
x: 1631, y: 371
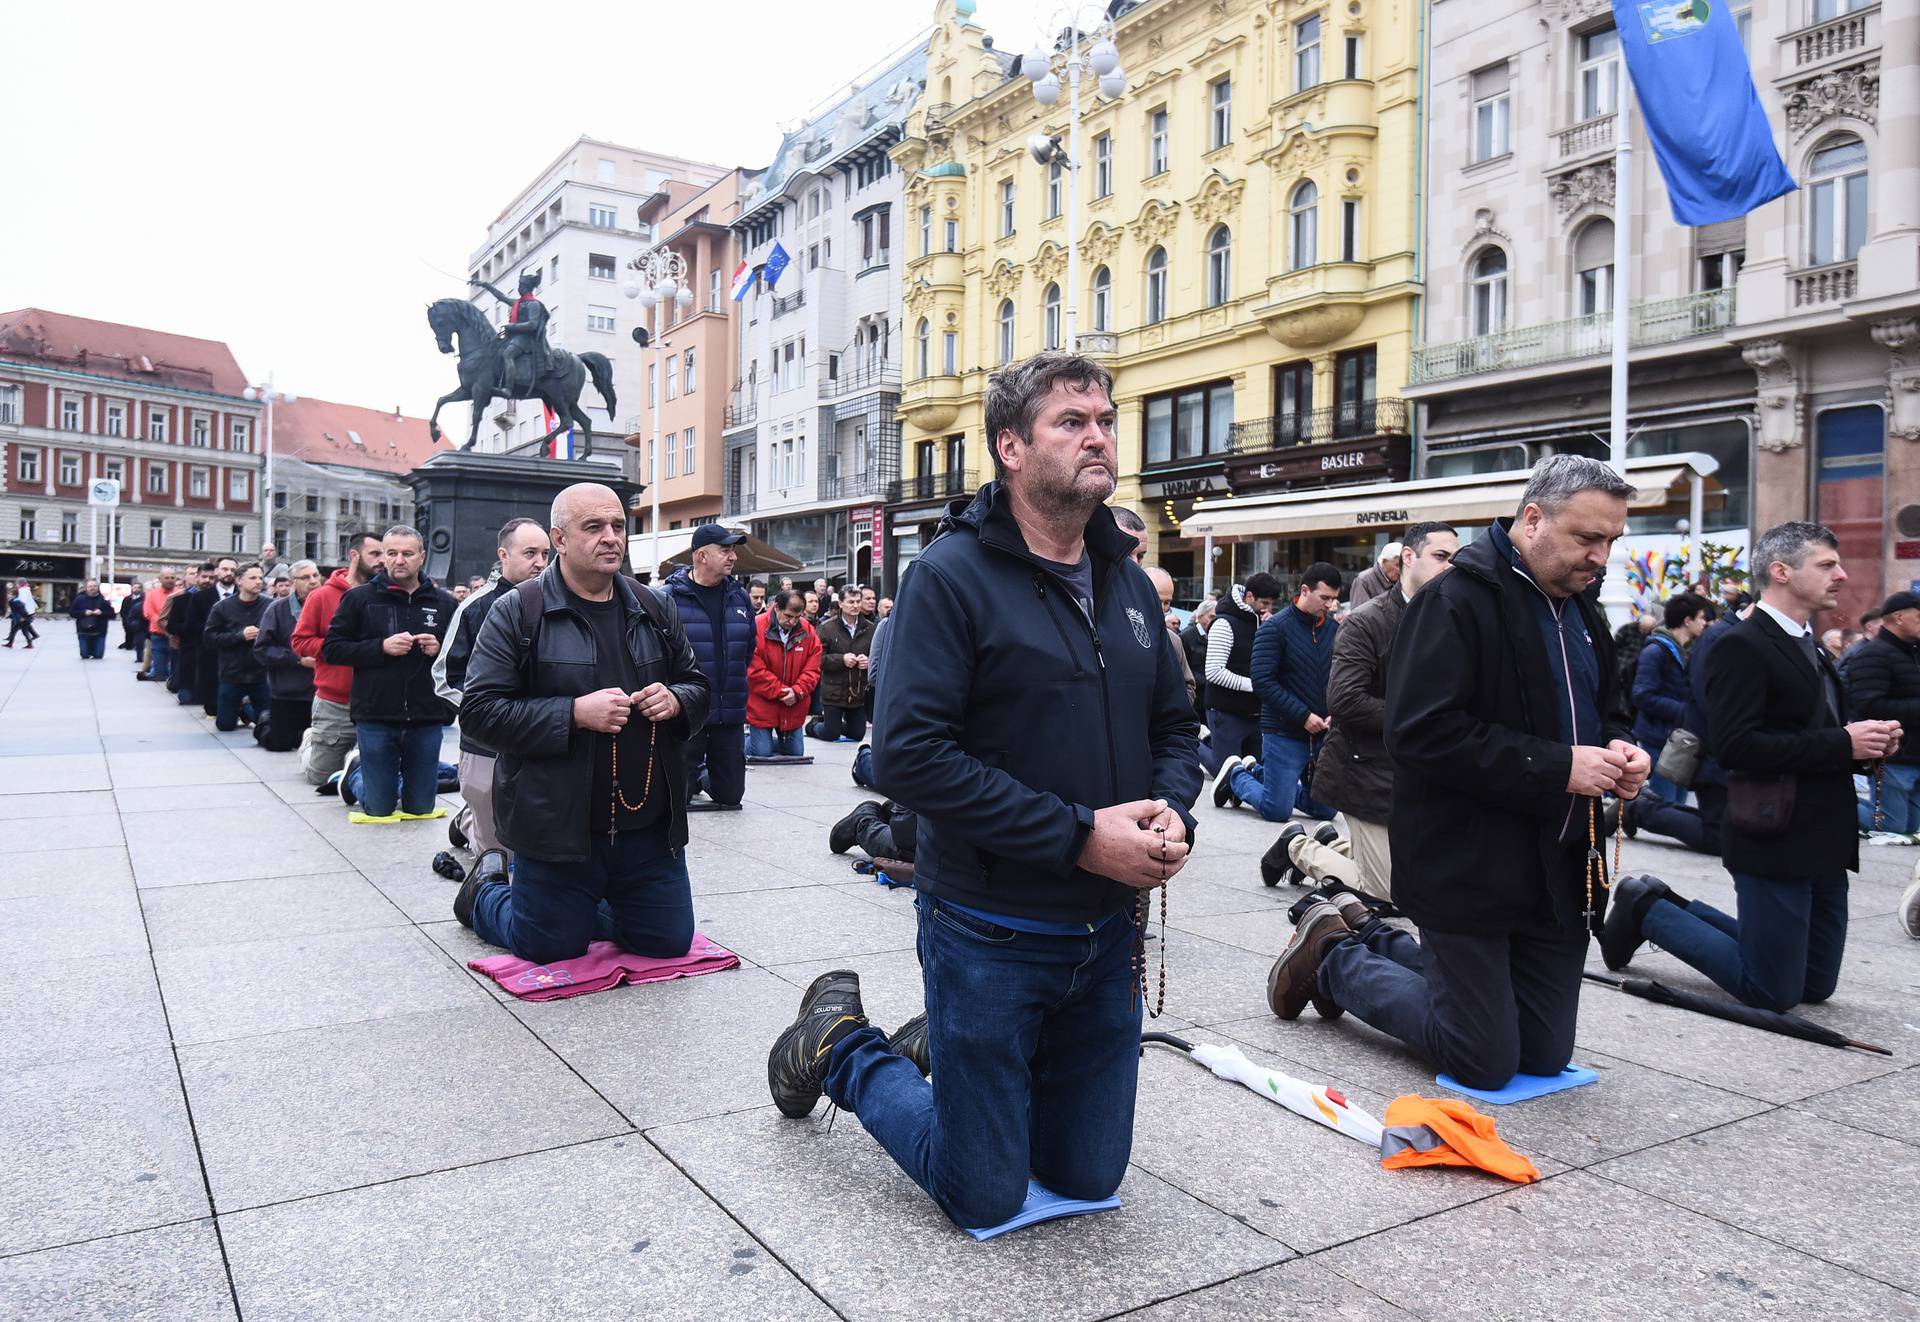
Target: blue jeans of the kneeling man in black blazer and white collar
x: 1785, y: 949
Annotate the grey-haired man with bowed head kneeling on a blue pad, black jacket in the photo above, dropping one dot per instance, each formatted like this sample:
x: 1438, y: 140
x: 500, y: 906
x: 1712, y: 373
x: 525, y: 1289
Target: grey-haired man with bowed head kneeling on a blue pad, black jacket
x: 1504, y: 732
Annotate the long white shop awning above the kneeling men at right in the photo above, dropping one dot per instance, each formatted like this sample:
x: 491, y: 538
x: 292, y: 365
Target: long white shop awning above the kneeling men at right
x: 1466, y: 500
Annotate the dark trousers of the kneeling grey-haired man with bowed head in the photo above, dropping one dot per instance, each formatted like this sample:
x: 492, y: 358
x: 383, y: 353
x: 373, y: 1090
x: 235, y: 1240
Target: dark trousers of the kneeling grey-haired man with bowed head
x: 1481, y: 1008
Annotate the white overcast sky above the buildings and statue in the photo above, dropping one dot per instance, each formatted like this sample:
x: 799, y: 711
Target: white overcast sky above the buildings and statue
x: 287, y: 177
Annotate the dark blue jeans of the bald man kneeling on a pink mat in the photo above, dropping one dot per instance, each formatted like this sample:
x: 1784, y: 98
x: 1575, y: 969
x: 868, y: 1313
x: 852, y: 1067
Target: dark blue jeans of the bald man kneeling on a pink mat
x: 631, y: 891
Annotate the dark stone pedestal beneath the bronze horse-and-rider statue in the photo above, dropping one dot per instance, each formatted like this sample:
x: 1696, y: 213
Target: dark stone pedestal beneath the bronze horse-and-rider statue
x: 462, y: 500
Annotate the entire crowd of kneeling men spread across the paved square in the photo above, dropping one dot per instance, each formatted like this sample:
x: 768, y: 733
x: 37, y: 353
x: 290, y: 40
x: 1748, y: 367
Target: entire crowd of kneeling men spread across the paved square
x: 1462, y: 707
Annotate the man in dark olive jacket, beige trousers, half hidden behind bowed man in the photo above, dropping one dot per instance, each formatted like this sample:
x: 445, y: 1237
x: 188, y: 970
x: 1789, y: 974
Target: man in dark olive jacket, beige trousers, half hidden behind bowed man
x: 1355, y: 772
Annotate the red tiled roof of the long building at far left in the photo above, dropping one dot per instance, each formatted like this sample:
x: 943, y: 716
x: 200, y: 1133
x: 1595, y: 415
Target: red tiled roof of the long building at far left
x: 105, y: 348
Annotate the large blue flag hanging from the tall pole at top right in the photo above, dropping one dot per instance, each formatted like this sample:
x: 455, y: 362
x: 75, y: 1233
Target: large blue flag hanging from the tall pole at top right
x: 1710, y: 133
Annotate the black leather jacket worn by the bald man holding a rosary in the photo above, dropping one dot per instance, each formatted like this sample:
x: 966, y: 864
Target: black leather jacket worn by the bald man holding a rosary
x: 523, y: 707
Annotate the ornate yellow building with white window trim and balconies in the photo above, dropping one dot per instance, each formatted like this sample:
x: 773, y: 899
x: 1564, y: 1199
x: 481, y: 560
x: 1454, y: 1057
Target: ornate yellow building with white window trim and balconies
x: 1247, y: 245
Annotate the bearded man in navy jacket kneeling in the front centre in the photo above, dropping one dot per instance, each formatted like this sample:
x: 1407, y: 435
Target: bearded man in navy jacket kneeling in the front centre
x: 1034, y: 717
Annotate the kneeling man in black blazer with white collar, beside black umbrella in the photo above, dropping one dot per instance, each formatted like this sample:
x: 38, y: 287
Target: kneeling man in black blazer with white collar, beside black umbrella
x: 1777, y: 713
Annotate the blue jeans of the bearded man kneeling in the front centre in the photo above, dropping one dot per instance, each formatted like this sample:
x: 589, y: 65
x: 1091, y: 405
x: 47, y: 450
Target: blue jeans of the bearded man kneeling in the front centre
x: 1036, y: 1047
